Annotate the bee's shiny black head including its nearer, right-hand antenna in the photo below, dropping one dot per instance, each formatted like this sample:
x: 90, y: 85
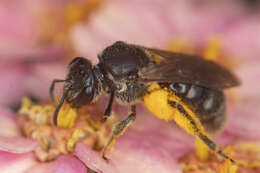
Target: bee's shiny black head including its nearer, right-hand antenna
x: 80, y: 85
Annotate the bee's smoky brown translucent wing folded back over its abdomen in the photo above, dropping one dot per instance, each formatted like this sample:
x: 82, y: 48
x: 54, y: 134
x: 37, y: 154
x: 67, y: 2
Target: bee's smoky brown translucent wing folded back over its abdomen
x: 183, y: 68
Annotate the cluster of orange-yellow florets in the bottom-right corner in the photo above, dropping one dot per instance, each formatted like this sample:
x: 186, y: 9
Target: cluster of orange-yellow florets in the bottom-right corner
x: 246, y: 156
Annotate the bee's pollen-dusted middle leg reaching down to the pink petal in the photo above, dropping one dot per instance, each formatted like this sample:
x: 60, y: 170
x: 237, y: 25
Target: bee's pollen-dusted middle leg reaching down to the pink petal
x: 119, y: 129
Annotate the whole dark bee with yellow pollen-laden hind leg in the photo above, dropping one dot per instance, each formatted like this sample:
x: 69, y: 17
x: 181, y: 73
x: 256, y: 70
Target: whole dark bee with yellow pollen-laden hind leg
x: 173, y: 86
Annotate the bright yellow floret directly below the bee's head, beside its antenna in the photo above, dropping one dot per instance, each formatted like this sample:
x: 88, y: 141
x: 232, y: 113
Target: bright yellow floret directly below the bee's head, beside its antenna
x: 67, y: 117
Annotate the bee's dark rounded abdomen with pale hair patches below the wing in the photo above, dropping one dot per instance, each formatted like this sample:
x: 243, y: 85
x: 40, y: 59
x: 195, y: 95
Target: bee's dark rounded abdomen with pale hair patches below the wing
x: 209, y: 105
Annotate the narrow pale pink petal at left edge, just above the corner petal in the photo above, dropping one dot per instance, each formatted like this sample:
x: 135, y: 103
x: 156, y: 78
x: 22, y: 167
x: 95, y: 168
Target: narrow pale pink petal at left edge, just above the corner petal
x: 17, y: 144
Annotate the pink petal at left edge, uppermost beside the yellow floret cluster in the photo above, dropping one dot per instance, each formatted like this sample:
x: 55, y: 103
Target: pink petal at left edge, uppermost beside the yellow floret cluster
x: 7, y: 123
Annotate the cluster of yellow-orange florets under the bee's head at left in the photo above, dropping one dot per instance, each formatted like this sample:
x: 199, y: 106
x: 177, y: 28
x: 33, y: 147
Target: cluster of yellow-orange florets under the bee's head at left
x: 36, y: 122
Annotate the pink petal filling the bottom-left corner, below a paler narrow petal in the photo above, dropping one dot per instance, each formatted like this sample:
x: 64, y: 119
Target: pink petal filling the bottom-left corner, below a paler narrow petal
x: 16, y: 163
